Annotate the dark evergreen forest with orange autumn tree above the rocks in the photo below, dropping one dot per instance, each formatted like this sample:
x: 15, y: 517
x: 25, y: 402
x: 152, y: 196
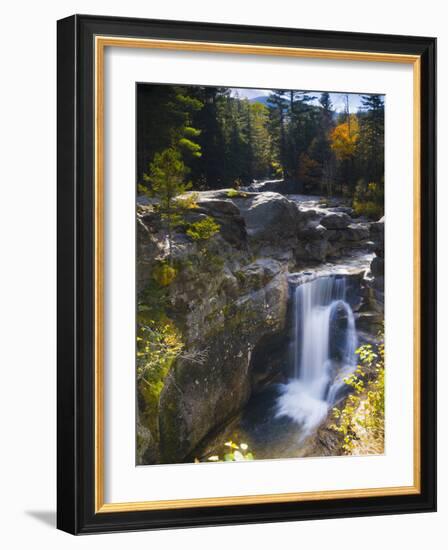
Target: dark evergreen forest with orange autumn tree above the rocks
x: 228, y: 141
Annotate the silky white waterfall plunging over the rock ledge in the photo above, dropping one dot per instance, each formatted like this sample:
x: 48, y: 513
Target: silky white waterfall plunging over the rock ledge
x: 317, y: 305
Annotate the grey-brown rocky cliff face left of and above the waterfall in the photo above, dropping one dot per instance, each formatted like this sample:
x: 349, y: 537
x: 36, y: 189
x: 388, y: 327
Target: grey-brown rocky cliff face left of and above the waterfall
x: 230, y: 298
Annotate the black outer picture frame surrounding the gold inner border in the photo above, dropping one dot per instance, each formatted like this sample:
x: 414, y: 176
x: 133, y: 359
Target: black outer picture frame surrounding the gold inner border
x: 76, y: 258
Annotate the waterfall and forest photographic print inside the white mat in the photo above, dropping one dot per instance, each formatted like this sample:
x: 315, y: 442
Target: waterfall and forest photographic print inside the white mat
x: 260, y: 274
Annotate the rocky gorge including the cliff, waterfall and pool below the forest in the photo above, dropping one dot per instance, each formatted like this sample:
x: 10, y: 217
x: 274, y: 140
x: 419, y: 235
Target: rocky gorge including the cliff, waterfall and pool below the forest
x: 270, y: 310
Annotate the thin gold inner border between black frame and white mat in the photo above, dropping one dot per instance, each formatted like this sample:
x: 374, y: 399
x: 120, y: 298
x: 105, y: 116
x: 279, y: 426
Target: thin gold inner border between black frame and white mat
x: 101, y: 42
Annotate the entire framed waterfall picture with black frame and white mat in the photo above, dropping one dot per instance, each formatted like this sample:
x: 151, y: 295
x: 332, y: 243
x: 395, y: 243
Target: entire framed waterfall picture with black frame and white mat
x: 246, y: 267
